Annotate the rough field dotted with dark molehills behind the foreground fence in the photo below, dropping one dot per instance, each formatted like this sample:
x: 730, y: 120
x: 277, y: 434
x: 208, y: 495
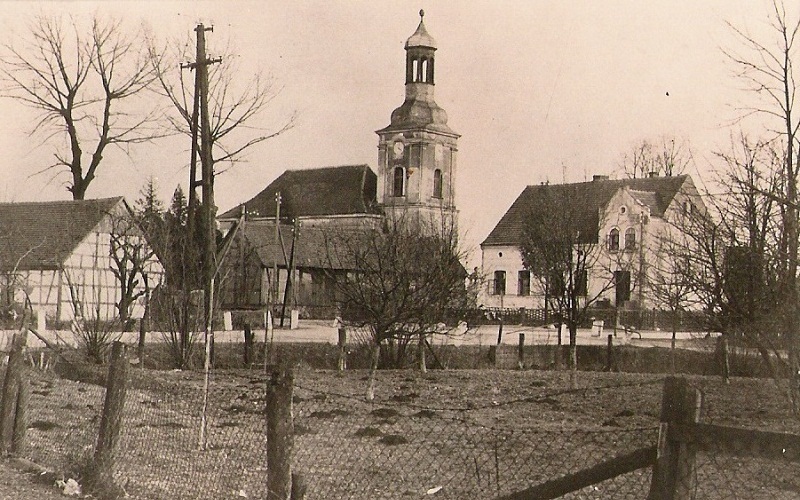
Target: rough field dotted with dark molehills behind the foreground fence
x: 465, y: 430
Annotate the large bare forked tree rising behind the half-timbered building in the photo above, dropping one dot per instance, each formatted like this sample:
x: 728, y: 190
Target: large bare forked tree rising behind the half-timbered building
x: 85, y: 89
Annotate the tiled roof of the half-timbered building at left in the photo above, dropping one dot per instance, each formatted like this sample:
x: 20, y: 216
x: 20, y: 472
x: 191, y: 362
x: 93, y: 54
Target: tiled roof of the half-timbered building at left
x: 41, y: 235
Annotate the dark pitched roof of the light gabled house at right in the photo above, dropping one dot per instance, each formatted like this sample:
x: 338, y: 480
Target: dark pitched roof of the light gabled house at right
x: 589, y: 197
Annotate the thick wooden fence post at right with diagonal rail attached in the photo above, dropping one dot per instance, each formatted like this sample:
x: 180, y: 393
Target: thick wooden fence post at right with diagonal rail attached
x: 674, y: 471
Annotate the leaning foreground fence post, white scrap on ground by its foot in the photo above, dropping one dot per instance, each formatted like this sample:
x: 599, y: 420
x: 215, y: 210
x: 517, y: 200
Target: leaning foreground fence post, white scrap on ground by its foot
x: 101, y: 475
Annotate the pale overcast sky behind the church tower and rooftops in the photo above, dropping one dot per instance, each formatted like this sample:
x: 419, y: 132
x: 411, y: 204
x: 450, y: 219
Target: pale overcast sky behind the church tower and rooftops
x: 540, y: 90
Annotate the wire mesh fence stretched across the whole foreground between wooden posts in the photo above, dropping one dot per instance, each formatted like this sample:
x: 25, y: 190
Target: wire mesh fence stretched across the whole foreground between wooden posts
x: 404, y: 444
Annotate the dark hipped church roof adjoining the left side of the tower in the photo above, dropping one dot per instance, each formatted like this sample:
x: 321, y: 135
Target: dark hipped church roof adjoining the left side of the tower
x: 315, y: 192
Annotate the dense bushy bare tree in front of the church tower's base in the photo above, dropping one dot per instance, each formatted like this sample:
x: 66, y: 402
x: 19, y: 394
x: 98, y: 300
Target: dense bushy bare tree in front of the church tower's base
x: 401, y: 282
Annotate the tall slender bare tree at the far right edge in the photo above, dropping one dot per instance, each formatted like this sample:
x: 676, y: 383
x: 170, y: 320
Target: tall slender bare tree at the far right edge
x: 767, y: 69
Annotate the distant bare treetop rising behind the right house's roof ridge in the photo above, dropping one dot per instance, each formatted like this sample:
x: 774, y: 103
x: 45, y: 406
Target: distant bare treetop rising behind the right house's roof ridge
x: 665, y: 156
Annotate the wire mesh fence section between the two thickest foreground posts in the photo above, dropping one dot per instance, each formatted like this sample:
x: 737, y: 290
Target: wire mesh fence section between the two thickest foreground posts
x: 349, y: 448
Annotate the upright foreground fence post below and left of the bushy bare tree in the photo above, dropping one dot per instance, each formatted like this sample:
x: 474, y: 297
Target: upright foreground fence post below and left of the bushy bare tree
x: 280, y: 434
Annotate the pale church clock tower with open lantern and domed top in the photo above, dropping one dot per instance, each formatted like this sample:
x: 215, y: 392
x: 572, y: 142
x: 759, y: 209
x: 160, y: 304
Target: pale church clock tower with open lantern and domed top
x: 417, y: 151
